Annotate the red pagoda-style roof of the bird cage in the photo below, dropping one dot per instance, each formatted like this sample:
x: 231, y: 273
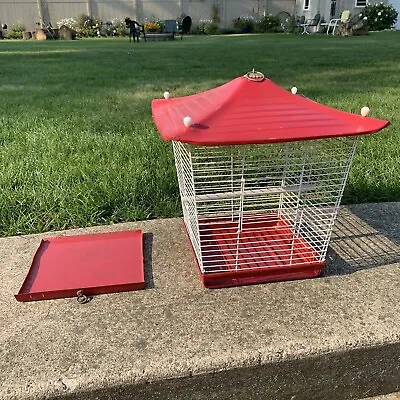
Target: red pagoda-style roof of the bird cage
x: 245, y: 111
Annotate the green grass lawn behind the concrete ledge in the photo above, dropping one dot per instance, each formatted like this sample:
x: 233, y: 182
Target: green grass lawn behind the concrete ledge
x: 78, y: 146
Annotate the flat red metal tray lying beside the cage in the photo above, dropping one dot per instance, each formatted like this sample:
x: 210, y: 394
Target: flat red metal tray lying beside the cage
x: 96, y: 264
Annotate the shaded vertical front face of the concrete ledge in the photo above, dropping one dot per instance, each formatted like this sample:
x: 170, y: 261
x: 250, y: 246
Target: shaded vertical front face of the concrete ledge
x: 332, y: 376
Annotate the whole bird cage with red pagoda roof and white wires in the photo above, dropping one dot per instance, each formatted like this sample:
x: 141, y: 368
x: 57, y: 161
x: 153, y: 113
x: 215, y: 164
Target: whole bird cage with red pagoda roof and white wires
x: 261, y: 174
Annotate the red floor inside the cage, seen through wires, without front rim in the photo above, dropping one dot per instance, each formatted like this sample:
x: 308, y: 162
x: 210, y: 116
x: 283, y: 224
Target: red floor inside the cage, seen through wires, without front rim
x: 265, y: 243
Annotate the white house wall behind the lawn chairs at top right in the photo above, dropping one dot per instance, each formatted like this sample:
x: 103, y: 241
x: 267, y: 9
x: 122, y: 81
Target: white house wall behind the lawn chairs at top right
x: 324, y: 8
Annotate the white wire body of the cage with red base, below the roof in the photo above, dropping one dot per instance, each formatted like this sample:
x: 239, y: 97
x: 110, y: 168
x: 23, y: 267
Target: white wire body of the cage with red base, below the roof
x: 257, y: 213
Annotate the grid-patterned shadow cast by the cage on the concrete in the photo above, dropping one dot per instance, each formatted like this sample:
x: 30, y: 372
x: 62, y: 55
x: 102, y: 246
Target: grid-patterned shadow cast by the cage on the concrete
x: 356, y: 245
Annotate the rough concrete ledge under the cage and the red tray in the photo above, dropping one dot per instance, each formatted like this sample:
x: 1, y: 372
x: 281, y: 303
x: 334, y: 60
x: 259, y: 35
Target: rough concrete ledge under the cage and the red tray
x: 335, y: 337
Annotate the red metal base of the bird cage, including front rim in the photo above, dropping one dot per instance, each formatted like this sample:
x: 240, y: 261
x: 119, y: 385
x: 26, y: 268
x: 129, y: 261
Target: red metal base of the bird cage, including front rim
x: 266, y: 269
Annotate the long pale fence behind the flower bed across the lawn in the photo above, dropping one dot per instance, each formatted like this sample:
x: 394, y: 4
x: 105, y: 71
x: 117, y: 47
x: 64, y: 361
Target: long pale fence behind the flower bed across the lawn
x: 31, y: 12
